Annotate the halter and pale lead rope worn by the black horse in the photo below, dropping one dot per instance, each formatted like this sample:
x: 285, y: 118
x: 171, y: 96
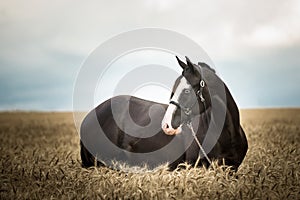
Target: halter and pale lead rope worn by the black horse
x: 188, y: 112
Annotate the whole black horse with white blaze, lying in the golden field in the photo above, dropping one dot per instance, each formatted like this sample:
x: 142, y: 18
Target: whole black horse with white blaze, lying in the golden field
x: 138, y: 132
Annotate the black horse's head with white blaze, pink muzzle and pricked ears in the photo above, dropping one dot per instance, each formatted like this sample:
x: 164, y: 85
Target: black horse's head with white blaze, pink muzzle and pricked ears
x: 189, y: 97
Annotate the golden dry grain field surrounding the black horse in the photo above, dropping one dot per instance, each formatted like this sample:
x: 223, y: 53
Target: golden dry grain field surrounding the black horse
x: 40, y: 160
